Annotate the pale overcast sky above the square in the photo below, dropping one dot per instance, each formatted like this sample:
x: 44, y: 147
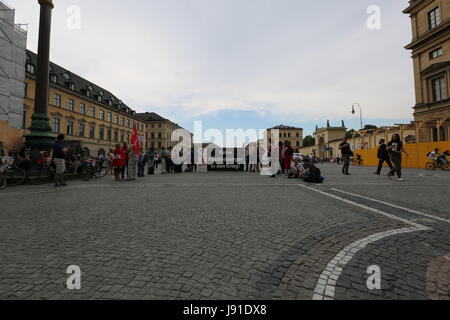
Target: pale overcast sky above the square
x: 239, y: 63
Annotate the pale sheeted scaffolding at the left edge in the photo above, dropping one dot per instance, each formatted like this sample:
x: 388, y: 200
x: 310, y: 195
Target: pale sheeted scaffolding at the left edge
x: 13, y: 40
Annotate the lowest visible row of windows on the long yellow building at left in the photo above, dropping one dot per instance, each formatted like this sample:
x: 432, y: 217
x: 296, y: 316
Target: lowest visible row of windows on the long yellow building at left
x: 56, y: 128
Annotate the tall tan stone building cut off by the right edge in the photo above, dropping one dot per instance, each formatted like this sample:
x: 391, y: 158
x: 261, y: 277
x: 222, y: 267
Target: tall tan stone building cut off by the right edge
x: 430, y: 49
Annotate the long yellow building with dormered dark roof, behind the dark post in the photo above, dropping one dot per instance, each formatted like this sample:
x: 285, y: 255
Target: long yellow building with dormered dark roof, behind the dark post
x: 90, y: 117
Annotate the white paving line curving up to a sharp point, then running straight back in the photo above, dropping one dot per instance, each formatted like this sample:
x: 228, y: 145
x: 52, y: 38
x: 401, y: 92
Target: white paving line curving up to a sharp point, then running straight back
x: 326, y: 285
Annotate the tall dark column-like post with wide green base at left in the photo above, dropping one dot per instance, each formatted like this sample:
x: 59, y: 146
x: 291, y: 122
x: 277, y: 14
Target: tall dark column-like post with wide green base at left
x: 40, y: 137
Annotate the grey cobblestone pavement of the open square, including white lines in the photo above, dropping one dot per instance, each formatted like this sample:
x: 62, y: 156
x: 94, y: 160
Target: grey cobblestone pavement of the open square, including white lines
x: 229, y: 236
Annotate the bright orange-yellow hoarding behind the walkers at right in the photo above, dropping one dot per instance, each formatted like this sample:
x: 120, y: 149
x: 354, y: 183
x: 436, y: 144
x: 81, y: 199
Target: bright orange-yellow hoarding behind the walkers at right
x: 417, y: 154
